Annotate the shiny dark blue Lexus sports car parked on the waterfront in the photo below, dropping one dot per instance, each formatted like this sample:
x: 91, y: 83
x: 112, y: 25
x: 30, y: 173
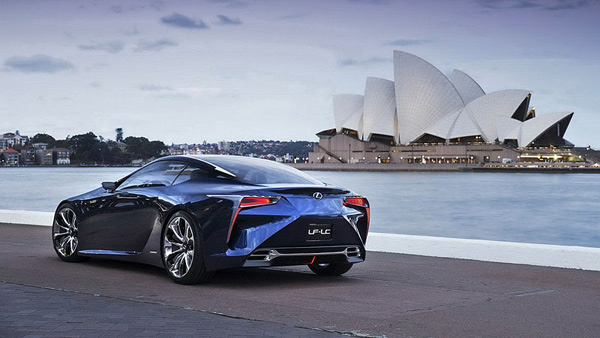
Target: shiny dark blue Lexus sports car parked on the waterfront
x: 194, y: 215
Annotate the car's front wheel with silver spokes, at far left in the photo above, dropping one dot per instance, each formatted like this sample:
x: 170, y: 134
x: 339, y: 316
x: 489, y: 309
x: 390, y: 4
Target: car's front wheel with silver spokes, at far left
x: 65, y: 234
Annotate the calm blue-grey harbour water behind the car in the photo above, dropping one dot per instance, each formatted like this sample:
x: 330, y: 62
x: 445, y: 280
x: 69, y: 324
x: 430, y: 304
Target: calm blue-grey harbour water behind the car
x: 559, y: 209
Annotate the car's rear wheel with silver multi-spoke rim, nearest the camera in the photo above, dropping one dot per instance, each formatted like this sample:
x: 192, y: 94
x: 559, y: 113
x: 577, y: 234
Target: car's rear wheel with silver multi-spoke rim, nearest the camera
x: 182, y: 250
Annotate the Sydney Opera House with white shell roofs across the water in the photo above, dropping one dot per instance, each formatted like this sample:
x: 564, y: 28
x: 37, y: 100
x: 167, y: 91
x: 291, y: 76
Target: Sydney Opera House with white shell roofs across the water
x: 437, y: 119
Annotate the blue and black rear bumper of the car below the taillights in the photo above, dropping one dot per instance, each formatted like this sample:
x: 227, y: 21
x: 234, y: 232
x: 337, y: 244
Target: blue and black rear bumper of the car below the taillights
x: 287, y: 241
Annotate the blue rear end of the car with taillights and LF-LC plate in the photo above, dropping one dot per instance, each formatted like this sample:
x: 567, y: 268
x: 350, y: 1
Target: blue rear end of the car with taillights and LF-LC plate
x: 302, y: 225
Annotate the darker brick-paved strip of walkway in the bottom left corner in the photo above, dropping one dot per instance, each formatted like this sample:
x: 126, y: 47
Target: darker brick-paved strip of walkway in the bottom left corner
x: 27, y: 311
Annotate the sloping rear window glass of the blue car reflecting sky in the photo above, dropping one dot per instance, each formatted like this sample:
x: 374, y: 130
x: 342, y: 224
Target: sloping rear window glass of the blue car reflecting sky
x: 258, y: 171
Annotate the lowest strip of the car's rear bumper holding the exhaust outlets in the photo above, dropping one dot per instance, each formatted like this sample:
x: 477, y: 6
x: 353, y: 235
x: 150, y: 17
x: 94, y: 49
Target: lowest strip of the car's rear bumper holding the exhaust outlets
x: 305, y: 255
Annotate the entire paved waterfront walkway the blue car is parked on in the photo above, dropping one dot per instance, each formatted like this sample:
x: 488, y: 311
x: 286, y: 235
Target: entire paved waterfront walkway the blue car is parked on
x: 390, y: 294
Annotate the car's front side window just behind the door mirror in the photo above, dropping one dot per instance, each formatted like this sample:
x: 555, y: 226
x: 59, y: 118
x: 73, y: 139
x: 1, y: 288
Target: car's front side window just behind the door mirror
x: 158, y: 174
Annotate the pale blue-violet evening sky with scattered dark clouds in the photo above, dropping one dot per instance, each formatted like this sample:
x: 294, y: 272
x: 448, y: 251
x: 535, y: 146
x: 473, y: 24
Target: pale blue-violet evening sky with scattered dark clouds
x: 194, y: 71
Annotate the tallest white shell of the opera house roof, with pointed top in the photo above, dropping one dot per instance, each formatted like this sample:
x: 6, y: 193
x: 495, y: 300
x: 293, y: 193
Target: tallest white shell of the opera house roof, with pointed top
x: 423, y: 95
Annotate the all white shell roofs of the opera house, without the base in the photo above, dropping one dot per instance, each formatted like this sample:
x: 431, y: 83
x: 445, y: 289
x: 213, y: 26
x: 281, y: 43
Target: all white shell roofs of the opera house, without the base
x: 422, y: 100
